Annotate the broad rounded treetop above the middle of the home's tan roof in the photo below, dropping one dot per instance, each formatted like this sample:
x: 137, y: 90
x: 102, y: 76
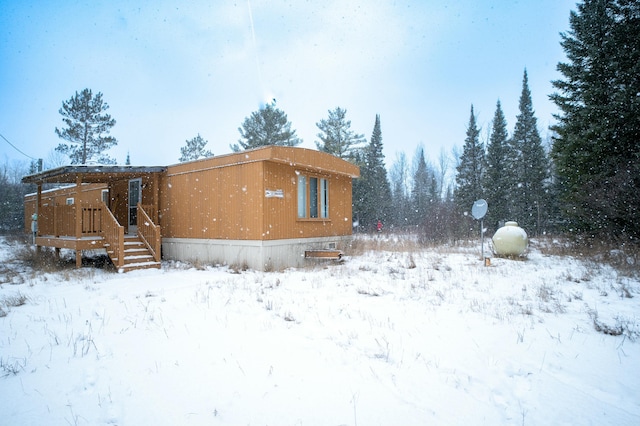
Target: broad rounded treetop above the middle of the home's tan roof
x: 267, y: 126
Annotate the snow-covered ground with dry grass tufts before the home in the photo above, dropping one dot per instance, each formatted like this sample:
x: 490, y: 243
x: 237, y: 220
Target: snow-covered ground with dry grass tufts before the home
x: 389, y: 337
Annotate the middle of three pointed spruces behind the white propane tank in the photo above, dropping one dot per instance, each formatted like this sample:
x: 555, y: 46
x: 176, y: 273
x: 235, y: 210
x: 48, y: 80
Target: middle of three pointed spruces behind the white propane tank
x: 498, y: 174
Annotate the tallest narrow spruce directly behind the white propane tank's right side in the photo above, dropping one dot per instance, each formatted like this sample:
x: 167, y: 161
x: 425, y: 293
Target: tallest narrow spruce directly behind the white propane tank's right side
x: 530, y: 198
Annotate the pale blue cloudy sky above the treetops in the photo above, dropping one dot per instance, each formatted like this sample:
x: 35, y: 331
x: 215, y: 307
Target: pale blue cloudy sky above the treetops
x: 170, y: 70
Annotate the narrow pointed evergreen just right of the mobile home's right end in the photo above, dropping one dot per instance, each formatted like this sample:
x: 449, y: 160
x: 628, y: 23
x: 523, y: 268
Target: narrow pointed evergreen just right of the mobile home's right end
x: 372, y: 193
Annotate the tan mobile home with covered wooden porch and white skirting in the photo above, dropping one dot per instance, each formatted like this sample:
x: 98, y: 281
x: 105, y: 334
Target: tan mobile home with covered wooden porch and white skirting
x: 263, y: 208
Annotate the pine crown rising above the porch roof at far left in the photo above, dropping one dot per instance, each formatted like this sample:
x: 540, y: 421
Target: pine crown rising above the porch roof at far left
x: 87, y: 129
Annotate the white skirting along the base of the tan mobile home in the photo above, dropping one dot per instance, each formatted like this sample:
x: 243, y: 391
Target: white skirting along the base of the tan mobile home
x: 254, y: 254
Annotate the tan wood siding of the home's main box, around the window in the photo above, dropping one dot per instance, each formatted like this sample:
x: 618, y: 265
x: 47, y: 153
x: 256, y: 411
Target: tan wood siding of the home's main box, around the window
x: 225, y: 197
